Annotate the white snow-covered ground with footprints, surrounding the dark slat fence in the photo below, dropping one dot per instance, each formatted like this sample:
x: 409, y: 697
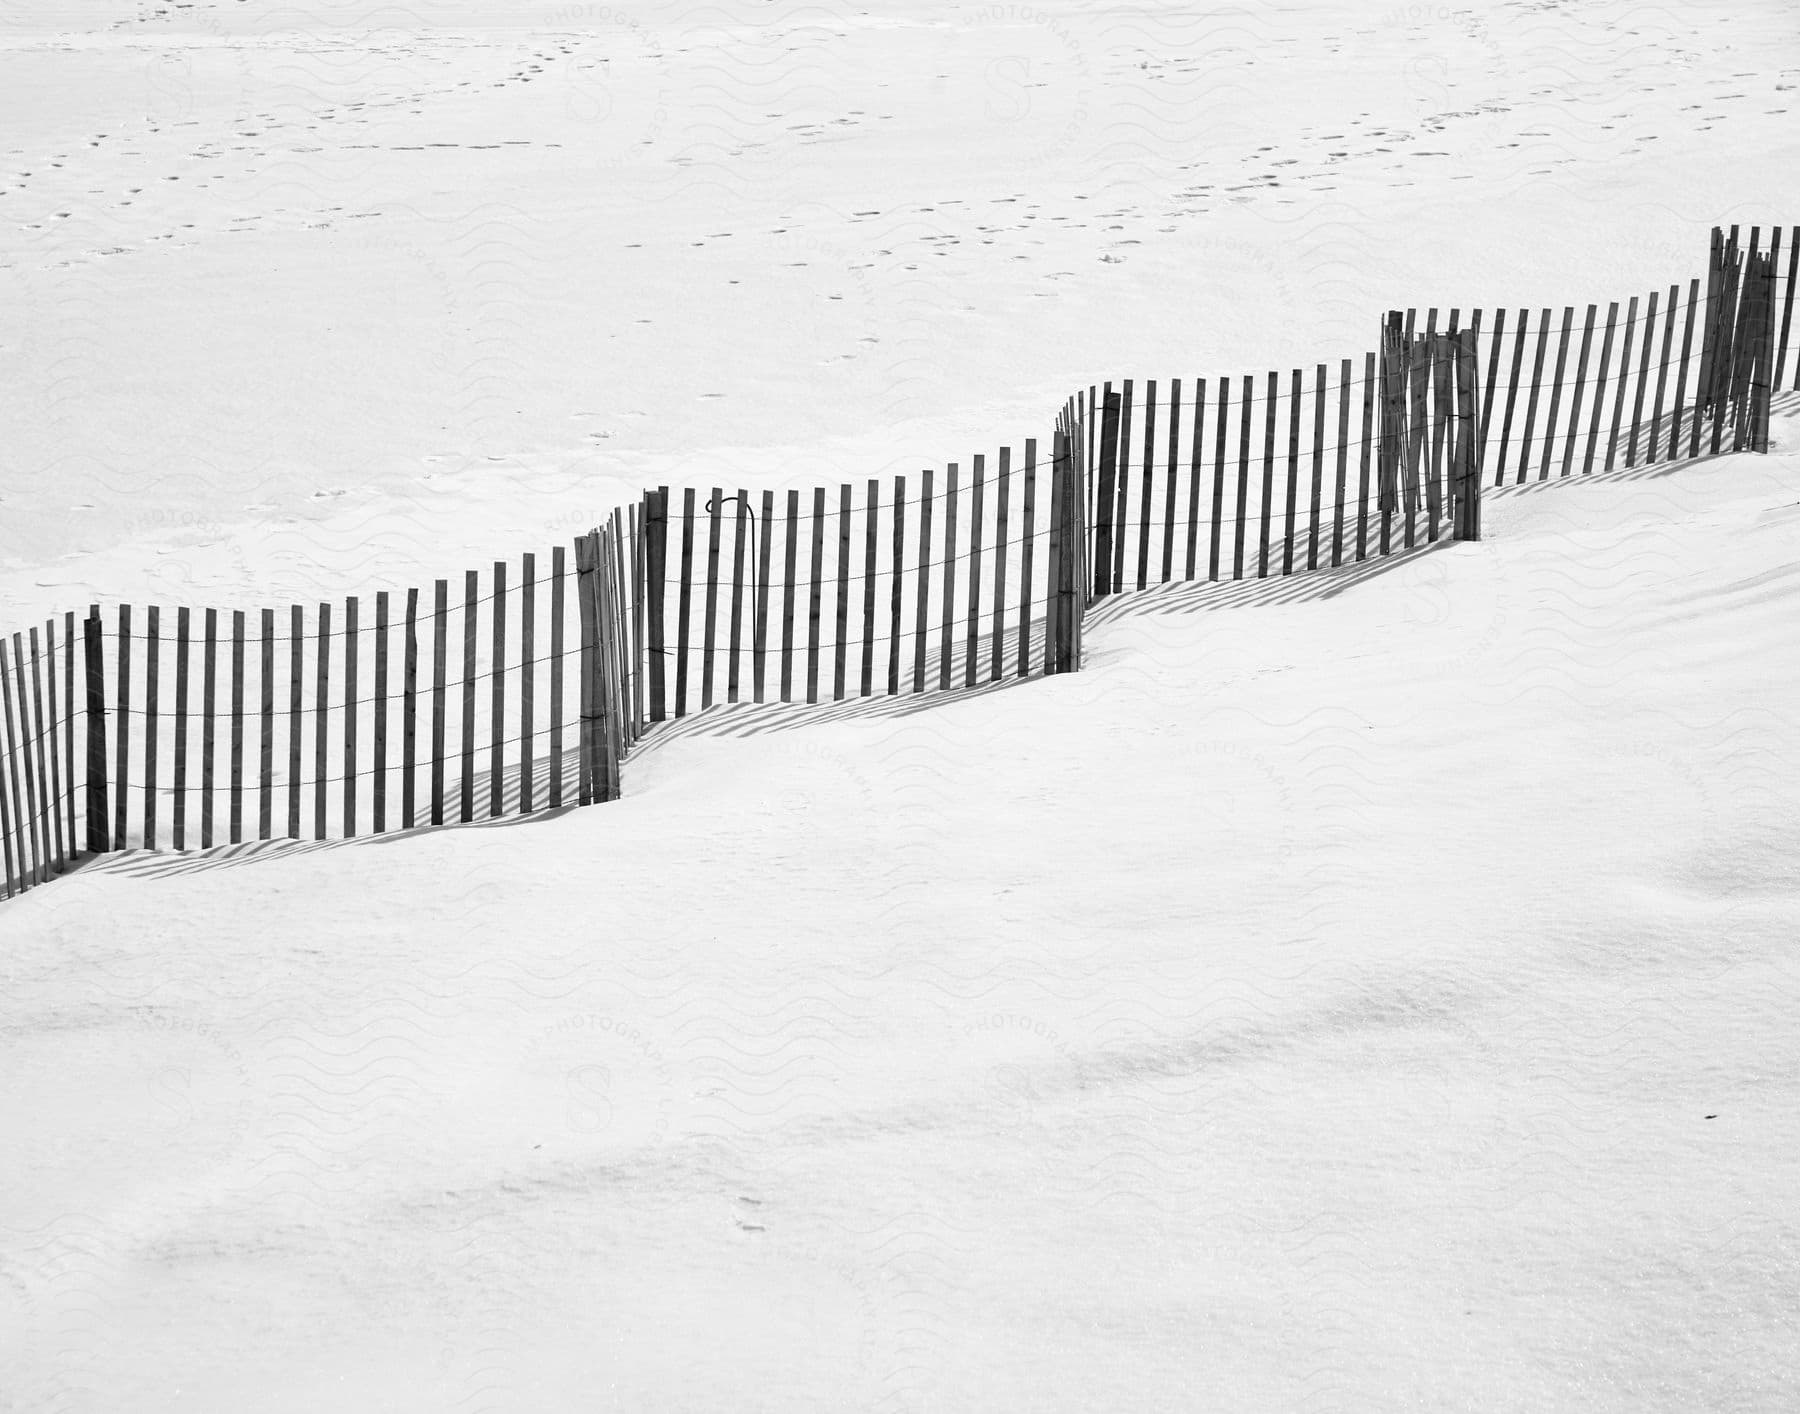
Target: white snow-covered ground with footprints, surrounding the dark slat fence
x: 1372, y: 990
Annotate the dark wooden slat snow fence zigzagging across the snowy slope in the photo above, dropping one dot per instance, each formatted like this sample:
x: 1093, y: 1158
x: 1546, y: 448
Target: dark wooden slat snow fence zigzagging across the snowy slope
x: 195, y: 729
